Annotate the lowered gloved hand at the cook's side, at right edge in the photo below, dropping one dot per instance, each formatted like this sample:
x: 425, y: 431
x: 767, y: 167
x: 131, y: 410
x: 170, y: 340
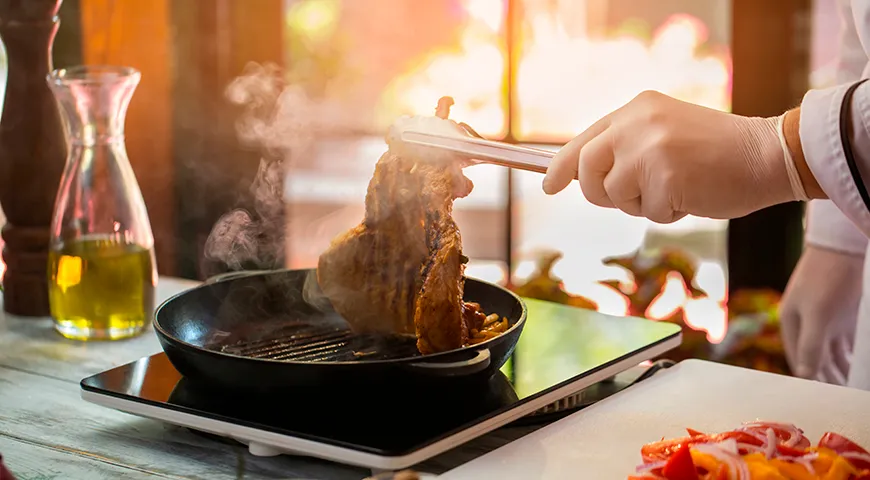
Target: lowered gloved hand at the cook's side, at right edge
x: 819, y: 312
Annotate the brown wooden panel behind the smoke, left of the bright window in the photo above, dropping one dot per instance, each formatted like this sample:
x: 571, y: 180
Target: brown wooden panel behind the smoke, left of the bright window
x: 214, y: 40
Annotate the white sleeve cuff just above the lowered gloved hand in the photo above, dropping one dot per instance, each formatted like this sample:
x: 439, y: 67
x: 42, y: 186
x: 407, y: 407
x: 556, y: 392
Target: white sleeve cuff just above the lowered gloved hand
x: 828, y: 228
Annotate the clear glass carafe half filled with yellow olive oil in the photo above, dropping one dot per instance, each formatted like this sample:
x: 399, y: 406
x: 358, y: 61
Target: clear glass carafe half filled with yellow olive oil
x: 102, y: 271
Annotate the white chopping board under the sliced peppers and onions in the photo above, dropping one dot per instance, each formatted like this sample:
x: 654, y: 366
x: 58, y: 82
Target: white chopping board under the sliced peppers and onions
x: 603, y: 441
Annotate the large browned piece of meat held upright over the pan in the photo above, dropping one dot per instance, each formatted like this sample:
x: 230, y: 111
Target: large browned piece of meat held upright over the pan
x: 401, y: 270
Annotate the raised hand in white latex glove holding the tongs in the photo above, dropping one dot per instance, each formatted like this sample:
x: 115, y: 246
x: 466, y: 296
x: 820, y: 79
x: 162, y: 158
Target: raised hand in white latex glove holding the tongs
x: 661, y: 158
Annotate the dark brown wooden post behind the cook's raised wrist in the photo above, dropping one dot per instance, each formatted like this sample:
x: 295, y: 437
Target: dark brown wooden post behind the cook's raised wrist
x: 770, y: 47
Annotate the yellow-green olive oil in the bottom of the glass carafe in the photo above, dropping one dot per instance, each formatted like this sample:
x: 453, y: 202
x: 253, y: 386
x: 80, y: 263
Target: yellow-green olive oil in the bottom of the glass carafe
x: 101, y: 289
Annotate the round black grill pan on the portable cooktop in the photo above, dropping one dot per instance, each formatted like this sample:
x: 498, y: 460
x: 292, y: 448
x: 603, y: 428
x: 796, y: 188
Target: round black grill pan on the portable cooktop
x: 274, y: 330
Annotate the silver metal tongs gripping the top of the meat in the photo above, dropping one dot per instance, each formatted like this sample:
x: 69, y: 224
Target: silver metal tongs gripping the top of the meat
x: 480, y: 150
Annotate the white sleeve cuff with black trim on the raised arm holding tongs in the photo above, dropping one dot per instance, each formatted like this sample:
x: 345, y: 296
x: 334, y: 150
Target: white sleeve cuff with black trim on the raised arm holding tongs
x: 820, y: 141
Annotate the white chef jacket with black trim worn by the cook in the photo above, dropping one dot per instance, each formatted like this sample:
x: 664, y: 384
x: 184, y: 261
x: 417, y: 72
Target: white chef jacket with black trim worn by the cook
x: 843, y: 222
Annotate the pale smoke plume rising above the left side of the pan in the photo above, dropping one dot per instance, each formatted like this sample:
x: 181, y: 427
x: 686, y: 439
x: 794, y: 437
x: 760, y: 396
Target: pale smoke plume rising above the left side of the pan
x: 282, y: 122
